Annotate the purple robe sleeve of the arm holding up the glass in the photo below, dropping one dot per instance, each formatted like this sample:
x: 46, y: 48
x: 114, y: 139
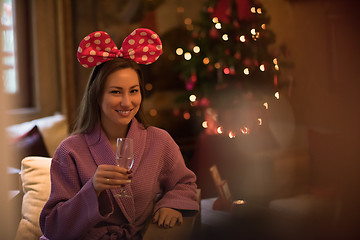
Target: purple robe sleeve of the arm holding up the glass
x: 73, y: 206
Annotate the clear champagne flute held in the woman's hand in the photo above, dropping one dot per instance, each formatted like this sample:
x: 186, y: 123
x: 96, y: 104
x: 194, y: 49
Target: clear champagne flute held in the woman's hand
x: 124, y: 158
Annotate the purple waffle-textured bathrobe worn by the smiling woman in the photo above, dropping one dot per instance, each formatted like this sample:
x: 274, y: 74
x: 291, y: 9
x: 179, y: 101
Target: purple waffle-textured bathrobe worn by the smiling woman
x: 73, y: 210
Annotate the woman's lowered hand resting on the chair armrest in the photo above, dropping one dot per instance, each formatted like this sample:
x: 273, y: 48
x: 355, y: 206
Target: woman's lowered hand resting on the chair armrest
x: 167, y: 217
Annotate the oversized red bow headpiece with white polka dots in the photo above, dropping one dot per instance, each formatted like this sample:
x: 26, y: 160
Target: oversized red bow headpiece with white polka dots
x: 142, y: 46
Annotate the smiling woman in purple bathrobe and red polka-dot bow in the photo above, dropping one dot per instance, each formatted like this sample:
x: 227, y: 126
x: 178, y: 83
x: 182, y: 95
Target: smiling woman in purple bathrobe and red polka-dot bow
x: 84, y: 175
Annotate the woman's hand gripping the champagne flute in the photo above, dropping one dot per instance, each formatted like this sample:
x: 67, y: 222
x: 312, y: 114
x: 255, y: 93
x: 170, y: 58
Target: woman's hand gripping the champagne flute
x: 110, y: 176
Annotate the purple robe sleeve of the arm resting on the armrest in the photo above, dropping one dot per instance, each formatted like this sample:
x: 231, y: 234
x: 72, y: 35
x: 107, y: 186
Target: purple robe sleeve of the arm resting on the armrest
x: 177, y: 182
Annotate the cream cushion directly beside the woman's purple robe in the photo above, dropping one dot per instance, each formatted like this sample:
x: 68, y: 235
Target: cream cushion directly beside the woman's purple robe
x: 35, y: 177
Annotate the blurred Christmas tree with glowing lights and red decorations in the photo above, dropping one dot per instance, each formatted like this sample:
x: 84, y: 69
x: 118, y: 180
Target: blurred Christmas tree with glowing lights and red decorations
x: 227, y: 67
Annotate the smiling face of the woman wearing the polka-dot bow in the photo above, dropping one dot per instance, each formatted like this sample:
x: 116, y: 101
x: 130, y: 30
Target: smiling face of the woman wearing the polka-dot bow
x: 121, y: 99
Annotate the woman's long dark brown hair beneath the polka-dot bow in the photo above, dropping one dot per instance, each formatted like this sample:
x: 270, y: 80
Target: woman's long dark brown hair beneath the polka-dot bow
x: 89, y: 110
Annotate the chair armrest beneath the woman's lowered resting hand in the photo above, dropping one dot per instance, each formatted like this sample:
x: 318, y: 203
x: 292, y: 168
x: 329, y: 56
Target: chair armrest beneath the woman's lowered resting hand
x: 183, y: 231
